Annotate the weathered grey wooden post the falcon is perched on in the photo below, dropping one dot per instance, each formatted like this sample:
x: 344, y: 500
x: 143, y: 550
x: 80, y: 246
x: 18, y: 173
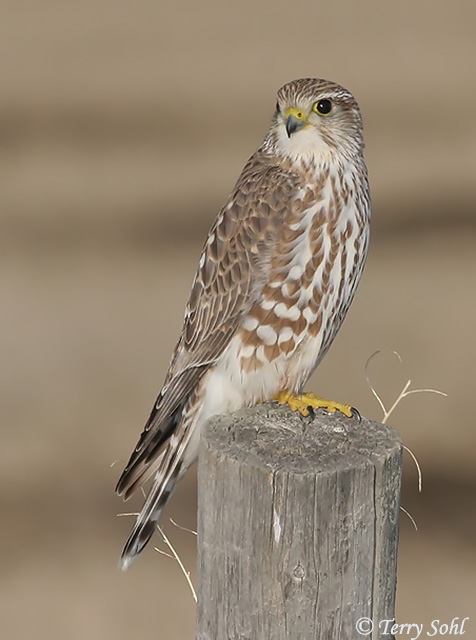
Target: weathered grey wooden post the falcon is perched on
x: 297, y: 526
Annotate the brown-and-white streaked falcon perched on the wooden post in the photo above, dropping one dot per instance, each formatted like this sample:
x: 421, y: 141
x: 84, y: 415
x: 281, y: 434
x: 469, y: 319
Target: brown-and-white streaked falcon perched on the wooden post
x: 275, y: 279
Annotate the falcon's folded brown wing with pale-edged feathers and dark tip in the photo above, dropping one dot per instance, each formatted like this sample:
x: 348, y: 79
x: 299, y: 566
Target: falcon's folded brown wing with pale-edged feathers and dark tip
x: 229, y: 280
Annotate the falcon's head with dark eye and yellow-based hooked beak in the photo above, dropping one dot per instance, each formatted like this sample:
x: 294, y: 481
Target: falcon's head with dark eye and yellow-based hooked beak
x: 315, y: 120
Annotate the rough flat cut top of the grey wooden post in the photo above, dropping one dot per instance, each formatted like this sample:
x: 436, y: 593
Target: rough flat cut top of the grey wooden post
x: 273, y: 435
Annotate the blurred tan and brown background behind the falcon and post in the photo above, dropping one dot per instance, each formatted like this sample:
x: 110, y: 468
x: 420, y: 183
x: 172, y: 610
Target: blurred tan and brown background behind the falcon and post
x: 123, y: 127
